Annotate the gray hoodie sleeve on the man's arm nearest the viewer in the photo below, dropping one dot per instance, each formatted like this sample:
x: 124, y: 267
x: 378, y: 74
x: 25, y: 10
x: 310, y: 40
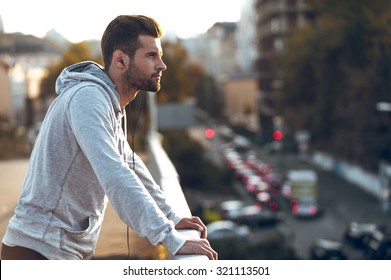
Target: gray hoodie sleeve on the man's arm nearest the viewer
x: 92, y: 119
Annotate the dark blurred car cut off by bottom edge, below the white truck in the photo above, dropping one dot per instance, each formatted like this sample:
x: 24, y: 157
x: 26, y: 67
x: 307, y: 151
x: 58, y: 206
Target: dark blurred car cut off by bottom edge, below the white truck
x: 327, y: 249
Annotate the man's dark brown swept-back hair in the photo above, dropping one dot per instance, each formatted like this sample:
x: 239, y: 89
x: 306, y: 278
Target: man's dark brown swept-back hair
x: 122, y: 34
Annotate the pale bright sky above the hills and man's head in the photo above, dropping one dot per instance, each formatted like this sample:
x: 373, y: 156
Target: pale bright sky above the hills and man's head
x: 79, y: 20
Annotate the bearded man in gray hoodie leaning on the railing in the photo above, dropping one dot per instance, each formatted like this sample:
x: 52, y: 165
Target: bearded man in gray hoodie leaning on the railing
x: 81, y: 159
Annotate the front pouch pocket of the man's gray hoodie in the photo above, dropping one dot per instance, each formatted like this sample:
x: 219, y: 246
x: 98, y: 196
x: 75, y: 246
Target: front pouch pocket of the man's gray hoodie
x: 81, y: 243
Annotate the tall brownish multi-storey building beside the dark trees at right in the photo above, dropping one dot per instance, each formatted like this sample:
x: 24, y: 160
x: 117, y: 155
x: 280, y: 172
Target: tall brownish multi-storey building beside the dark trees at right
x: 275, y: 20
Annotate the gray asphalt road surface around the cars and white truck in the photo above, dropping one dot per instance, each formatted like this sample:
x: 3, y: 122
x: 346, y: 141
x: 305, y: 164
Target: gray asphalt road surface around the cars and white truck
x: 341, y: 202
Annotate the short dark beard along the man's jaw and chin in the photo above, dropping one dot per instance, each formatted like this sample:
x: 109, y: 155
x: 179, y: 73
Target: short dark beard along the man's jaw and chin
x: 138, y: 79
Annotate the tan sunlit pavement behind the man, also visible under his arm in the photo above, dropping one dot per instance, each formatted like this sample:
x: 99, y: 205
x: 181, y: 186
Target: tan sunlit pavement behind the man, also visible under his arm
x: 112, y: 243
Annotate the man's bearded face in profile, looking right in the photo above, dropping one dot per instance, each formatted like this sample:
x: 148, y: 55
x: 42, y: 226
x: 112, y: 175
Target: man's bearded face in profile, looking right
x: 145, y: 70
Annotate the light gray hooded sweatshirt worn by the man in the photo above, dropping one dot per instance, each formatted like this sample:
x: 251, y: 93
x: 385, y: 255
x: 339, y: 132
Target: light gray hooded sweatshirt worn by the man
x: 81, y: 160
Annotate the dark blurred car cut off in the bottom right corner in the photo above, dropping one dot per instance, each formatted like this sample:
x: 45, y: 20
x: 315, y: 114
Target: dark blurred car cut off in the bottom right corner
x: 379, y: 246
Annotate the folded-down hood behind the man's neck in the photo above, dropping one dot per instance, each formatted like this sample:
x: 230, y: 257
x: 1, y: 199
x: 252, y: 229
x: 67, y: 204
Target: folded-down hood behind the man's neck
x: 87, y: 71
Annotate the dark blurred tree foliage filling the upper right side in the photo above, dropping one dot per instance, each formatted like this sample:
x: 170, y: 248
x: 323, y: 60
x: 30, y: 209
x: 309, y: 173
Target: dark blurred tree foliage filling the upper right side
x: 334, y: 74
